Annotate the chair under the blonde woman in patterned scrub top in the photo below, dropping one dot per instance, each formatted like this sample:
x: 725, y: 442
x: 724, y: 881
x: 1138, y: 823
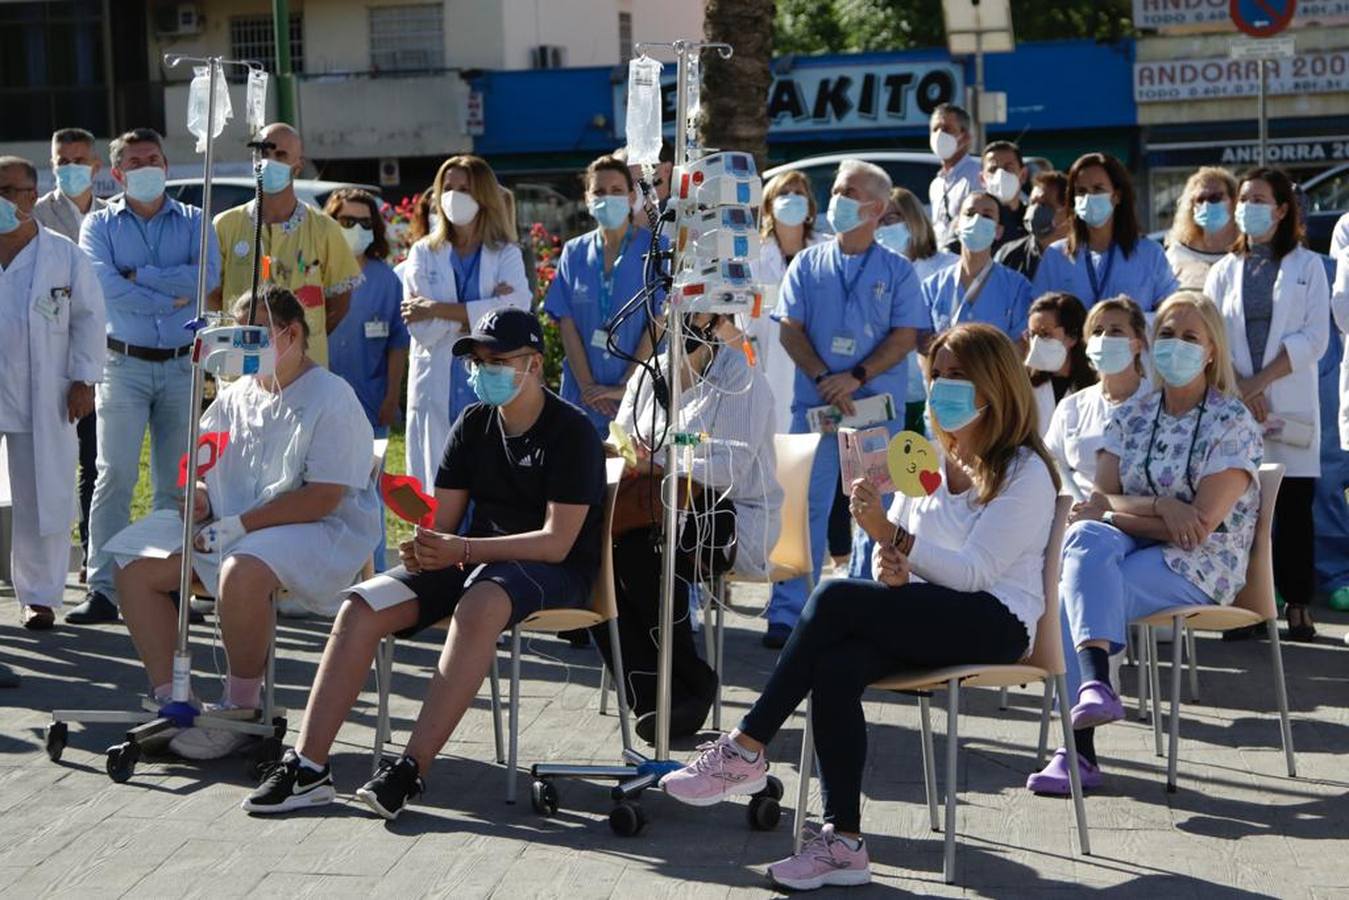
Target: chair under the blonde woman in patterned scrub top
x: 1254, y: 607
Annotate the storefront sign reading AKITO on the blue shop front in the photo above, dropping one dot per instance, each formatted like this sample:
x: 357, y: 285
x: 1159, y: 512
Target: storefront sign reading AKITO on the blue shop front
x: 833, y: 98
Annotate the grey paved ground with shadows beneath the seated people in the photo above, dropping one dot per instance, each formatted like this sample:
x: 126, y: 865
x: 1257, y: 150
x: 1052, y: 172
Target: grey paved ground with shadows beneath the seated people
x: 1236, y: 828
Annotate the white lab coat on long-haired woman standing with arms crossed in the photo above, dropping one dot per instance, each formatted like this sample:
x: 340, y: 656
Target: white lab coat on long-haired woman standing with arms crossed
x: 430, y: 273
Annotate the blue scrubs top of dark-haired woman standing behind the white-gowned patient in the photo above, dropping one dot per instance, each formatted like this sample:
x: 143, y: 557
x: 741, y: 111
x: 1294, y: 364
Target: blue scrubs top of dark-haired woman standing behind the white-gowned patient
x: 358, y: 349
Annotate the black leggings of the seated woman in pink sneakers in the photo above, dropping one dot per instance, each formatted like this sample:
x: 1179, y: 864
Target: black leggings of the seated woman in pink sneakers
x: 853, y: 634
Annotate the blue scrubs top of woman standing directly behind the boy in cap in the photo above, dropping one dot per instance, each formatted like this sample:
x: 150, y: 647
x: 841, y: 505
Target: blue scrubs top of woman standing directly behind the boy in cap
x: 579, y: 293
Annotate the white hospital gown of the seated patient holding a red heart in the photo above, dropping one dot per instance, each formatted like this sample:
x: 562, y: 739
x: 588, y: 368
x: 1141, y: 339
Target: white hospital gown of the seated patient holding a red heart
x: 315, y: 431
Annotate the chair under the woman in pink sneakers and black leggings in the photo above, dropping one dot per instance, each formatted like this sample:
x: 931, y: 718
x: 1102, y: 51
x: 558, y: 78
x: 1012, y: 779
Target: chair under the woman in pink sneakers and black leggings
x: 1043, y: 665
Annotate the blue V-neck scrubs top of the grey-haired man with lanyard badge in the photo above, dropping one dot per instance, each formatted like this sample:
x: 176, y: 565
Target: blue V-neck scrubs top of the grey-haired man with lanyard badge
x: 849, y: 304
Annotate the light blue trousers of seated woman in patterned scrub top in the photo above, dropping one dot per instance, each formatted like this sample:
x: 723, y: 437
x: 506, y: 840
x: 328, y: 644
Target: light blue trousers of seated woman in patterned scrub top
x: 1110, y: 580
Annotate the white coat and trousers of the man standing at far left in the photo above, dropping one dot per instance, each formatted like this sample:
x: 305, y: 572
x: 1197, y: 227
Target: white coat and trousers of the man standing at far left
x: 52, y: 335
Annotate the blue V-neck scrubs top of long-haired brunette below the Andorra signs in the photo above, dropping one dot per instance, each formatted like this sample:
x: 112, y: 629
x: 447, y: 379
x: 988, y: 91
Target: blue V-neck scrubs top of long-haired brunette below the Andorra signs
x: 1145, y: 277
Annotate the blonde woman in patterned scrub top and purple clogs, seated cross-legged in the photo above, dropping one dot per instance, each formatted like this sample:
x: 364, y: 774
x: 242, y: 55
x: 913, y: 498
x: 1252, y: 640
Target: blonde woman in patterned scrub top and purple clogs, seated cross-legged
x: 1170, y: 522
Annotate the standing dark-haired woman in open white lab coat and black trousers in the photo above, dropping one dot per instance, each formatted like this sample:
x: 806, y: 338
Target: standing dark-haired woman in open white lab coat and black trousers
x: 1275, y: 303
